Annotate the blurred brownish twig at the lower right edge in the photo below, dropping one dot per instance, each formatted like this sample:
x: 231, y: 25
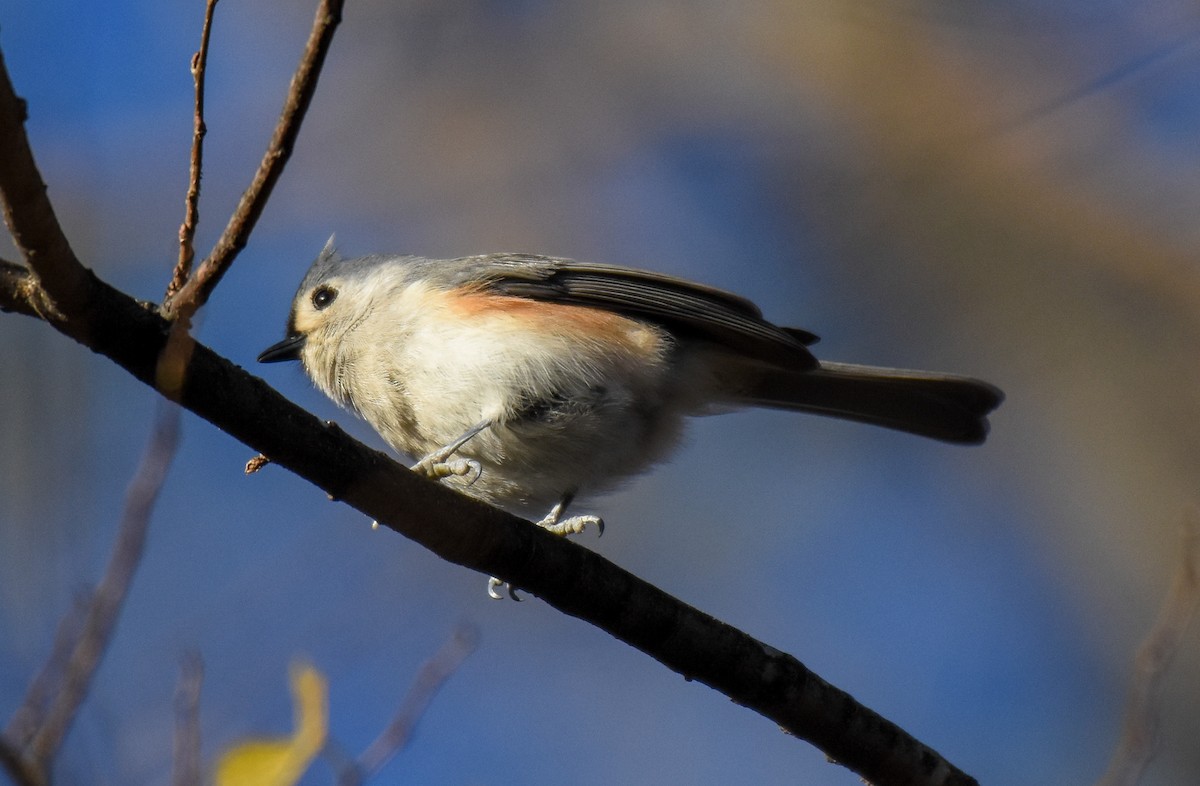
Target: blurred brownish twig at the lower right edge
x: 1139, y: 733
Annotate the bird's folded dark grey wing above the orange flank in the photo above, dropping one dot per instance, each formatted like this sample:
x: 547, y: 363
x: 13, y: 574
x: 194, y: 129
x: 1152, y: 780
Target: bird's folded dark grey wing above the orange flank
x: 685, y: 308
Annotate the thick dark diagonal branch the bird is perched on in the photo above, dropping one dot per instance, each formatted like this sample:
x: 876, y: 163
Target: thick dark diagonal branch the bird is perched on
x: 567, y: 577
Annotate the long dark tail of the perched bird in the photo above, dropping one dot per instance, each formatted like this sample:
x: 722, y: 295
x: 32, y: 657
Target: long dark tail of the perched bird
x: 939, y: 406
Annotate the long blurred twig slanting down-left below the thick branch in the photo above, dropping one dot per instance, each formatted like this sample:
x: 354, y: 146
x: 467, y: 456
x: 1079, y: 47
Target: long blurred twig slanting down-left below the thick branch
x: 111, y: 593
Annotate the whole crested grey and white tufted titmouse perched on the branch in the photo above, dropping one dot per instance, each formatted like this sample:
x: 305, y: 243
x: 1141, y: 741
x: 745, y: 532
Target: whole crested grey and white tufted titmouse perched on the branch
x: 525, y: 381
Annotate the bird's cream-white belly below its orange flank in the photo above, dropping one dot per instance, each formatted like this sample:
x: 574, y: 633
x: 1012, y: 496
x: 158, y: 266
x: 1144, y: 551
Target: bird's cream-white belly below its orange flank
x: 567, y: 415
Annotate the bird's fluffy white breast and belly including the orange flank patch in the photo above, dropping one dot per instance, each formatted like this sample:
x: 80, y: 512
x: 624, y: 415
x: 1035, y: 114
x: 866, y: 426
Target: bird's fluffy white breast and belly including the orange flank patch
x: 580, y: 398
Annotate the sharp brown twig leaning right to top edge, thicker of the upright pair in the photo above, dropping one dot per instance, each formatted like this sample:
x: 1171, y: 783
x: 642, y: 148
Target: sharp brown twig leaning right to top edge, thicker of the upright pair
x: 304, y: 83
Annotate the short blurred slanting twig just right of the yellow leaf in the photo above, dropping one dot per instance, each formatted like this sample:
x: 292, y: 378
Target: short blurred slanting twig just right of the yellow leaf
x: 435, y: 673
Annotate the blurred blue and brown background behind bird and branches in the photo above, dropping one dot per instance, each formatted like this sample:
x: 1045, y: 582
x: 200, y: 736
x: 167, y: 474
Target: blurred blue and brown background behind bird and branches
x: 1004, y: 190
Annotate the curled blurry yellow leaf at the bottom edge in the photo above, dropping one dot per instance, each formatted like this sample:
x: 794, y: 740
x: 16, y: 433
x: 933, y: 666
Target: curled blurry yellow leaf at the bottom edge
x: 281, y: 763
